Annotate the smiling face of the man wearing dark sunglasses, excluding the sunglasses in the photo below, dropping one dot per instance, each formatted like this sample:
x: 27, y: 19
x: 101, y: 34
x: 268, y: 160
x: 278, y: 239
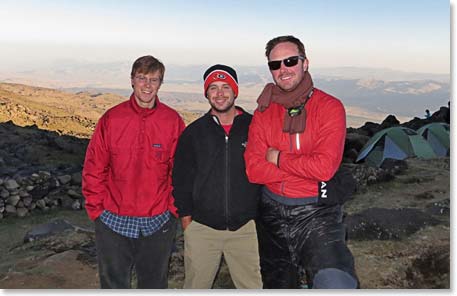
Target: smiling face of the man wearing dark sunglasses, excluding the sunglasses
x: 287, y: 78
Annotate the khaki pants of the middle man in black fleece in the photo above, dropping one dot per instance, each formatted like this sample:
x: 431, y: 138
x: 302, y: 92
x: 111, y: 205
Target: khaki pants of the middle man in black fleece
x: 204, y: 246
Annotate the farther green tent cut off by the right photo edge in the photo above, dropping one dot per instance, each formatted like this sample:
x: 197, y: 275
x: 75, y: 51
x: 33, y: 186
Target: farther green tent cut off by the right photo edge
x: 437, y: 135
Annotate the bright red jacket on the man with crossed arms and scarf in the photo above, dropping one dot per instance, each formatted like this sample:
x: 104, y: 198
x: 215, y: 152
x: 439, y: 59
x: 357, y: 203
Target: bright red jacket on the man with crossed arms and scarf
x: 305, y: 158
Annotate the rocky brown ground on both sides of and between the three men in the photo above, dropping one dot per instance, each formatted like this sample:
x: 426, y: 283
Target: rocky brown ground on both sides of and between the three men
x: 398, y: 231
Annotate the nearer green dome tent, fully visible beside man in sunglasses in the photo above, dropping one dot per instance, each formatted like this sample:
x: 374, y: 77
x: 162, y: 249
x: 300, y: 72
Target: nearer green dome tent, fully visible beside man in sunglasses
x: 397, y: 143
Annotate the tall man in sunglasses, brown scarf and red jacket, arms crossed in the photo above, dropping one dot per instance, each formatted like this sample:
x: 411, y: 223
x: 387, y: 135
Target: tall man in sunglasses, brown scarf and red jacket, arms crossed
x: 296, y: 142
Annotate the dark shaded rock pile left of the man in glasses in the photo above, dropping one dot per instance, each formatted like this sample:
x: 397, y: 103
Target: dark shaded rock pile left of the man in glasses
x: 39, y: 170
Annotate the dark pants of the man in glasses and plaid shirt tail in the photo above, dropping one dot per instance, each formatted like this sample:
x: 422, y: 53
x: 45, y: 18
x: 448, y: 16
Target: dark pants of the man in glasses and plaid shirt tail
x: 149, y: 255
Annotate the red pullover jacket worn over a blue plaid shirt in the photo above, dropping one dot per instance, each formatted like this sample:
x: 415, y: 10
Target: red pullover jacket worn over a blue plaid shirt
x: 128, y: 164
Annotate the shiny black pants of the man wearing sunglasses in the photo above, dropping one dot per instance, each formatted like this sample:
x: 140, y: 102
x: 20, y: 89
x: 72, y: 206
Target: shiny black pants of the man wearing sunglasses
x: 309, y: 237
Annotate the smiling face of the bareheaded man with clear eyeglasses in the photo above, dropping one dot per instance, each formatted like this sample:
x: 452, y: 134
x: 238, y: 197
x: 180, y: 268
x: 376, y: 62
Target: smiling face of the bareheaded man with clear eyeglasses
x: 145, y: 88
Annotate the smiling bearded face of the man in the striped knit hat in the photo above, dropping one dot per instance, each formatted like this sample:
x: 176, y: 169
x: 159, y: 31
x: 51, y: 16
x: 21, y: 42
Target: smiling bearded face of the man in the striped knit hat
x: 221, y: 97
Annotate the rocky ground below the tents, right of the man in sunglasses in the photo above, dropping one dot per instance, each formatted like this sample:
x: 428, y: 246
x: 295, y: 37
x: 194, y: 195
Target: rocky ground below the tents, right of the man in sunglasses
x: 399, y: 231
